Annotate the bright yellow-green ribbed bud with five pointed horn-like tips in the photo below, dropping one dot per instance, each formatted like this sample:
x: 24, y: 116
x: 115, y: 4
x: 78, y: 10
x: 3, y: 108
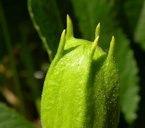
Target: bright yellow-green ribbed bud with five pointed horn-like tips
x: 81, y: 89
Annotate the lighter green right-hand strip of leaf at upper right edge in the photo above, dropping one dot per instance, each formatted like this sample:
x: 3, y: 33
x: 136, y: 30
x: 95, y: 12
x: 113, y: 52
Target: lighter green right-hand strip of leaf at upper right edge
x: 140, y: 29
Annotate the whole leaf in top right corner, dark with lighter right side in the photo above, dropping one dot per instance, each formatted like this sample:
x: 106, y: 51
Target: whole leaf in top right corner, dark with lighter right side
x: 135, y: 17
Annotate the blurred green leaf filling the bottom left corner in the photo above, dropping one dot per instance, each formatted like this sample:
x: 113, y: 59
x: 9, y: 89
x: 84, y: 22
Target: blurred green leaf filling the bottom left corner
x: 10, y: 119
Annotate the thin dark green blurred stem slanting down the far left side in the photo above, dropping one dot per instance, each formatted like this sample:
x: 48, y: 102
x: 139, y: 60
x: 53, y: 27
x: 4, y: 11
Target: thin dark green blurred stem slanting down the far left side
x: 8, y: 41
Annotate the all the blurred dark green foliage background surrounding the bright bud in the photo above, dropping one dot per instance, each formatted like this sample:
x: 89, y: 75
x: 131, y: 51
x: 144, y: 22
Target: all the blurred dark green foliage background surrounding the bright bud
x: 30, y: 30
